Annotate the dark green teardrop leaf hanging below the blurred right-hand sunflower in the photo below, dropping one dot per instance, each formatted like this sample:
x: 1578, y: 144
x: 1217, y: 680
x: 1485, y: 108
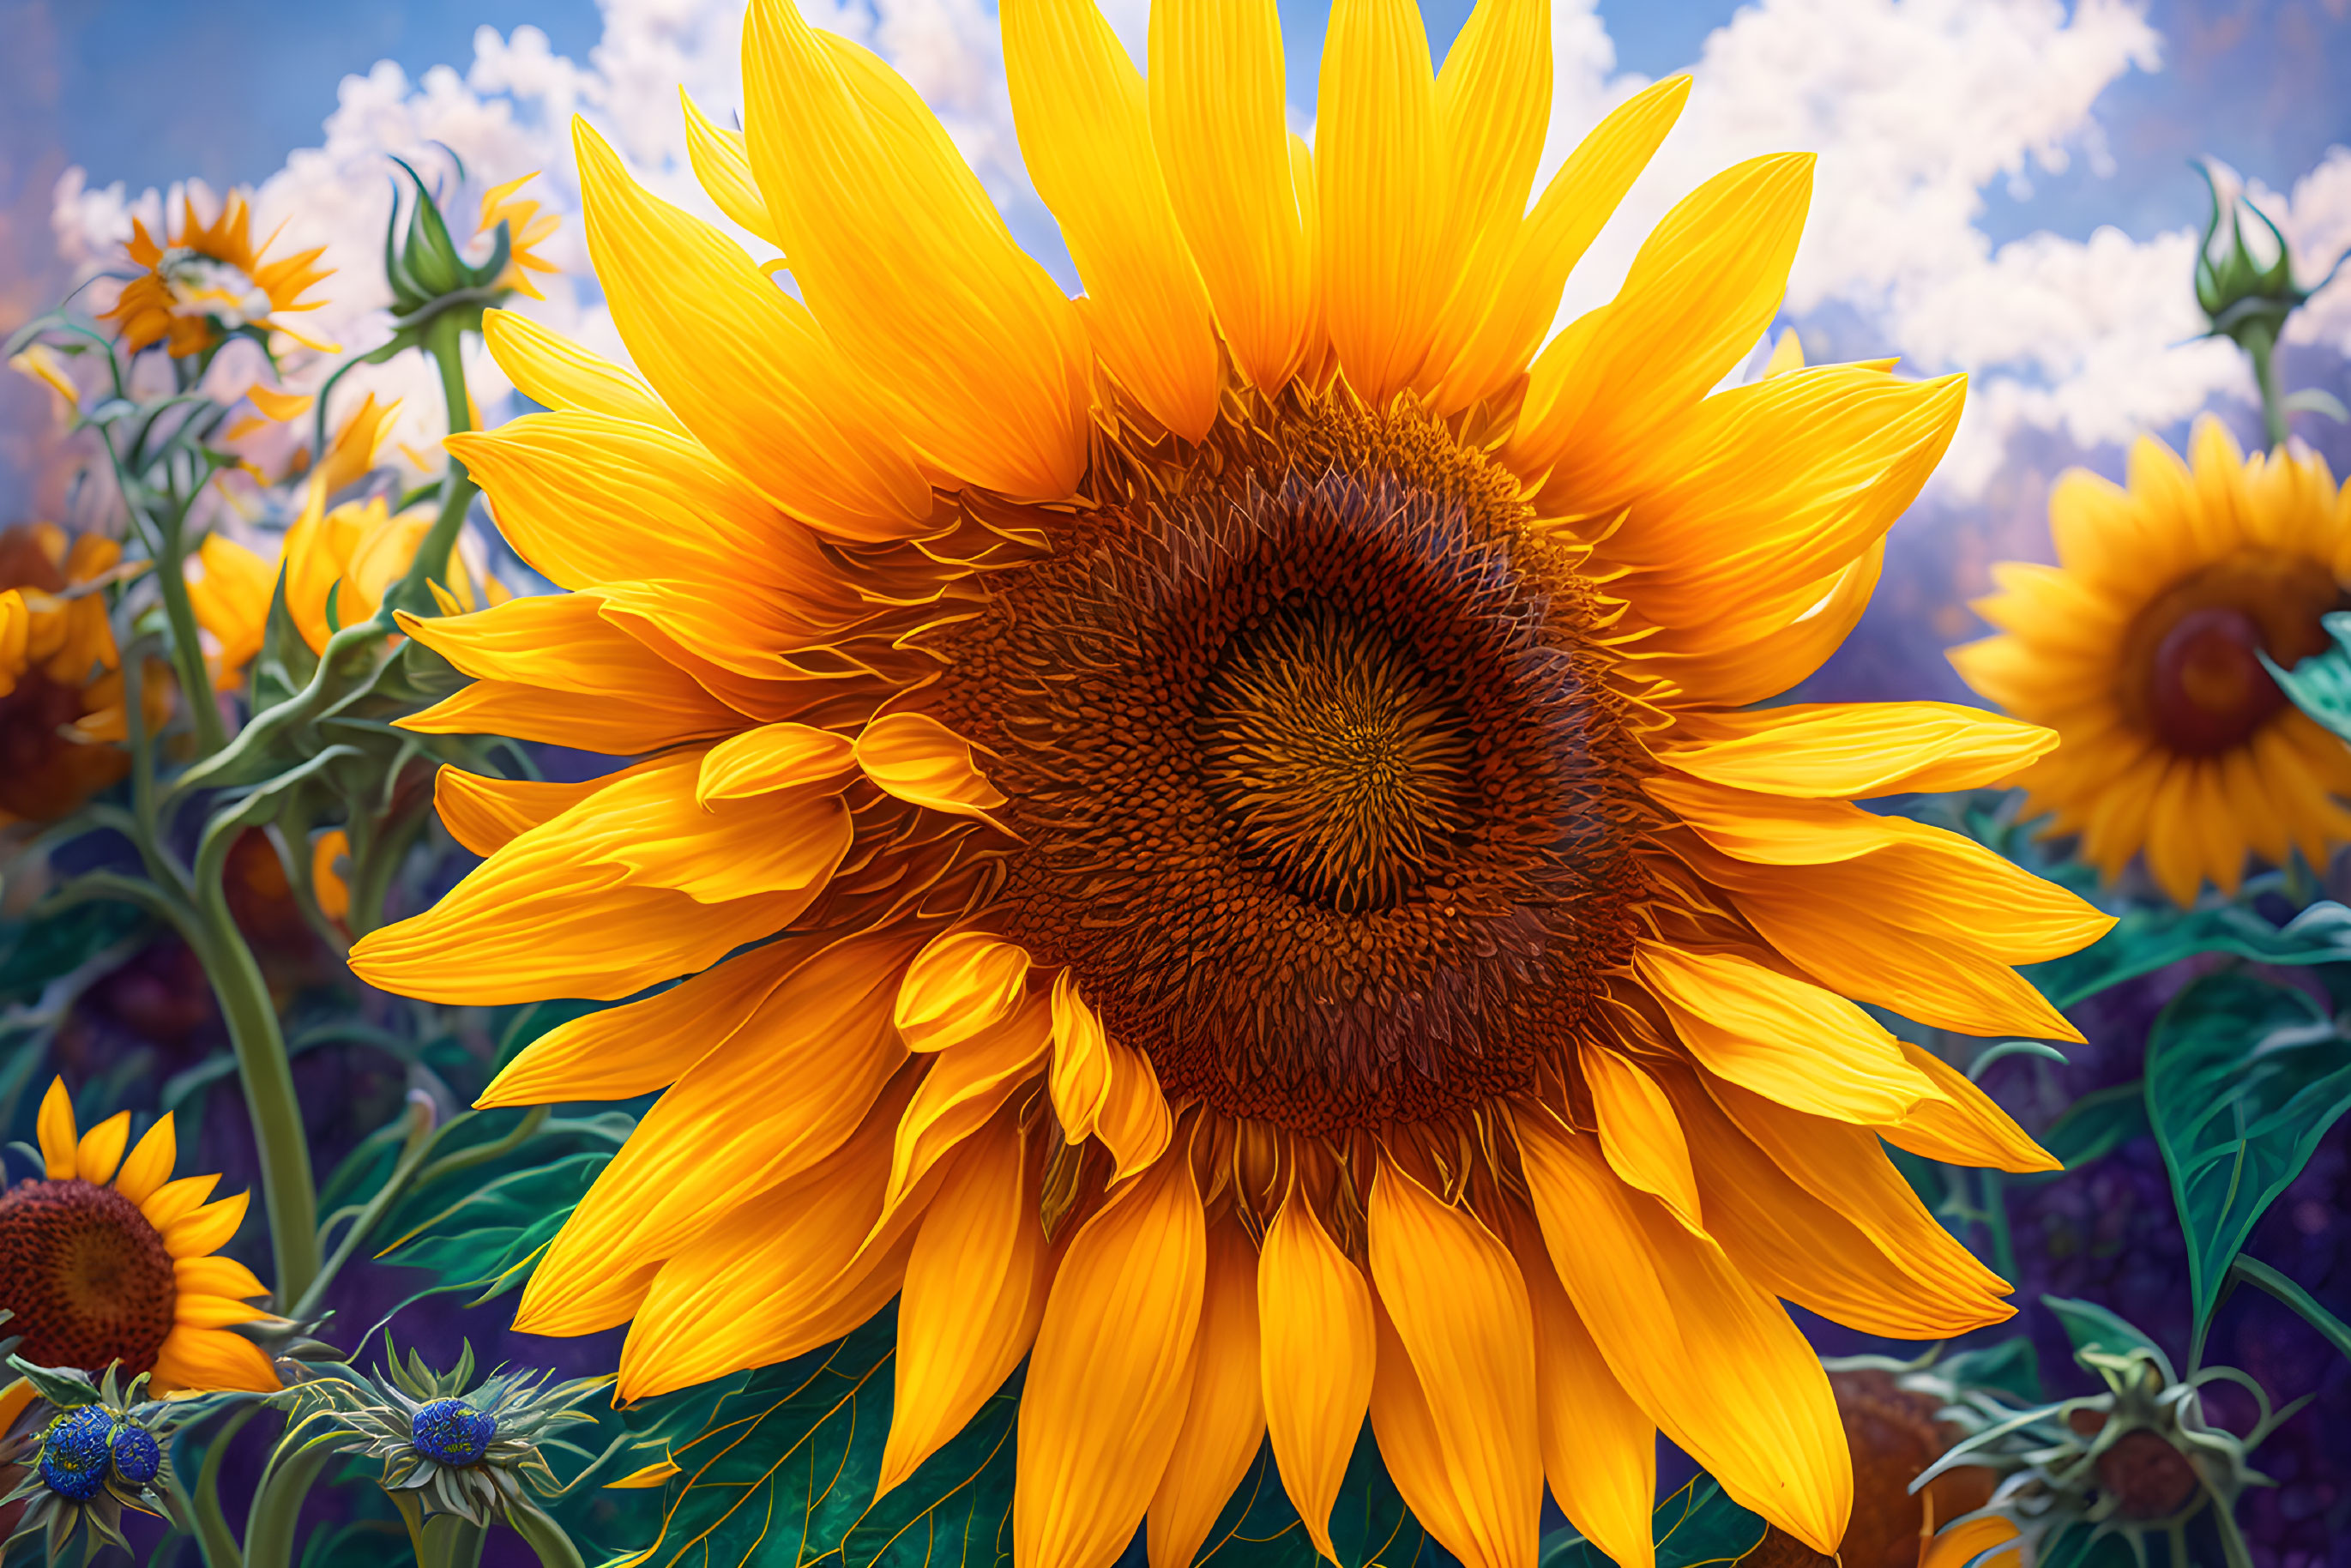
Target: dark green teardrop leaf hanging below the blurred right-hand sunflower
x: 2244, y: 1078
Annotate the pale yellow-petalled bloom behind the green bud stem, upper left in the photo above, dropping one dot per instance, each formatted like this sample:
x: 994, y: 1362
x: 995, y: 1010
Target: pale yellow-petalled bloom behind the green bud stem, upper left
x: 344, y: 556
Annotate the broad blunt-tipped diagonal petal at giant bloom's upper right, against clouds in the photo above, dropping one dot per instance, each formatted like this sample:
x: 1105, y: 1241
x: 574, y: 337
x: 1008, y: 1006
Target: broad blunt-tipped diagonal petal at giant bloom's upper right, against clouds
x: 1699, y: 297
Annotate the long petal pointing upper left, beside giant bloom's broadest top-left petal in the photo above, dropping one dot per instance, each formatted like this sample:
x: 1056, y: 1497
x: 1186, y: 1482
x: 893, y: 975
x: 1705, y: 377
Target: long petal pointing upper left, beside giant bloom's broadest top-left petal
x: 742, y: 363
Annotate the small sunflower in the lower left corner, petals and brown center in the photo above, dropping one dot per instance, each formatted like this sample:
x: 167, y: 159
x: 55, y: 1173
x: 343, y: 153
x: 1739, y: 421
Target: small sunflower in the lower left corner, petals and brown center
x: 109, y: 1261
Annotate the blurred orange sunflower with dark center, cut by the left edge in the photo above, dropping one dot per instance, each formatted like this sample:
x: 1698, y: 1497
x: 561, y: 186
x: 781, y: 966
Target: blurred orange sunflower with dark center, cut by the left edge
x: 60, y: 674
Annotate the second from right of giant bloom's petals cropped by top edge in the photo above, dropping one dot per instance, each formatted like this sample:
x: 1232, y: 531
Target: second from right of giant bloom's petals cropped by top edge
x: 1388, y: 253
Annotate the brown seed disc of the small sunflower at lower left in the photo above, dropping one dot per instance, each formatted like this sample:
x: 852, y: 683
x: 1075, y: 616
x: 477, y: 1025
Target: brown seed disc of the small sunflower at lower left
x: 86, y: 1275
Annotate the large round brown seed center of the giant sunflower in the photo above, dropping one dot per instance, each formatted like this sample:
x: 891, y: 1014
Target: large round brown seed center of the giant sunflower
x: 1320, y: 777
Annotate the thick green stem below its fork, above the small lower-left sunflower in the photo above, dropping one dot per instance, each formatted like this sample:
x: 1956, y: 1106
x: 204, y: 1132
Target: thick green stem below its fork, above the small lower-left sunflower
x: 269, y: 1087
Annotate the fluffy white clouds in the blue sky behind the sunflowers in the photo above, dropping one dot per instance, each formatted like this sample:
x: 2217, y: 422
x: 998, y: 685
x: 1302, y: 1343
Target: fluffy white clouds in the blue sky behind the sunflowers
x: 1915, y: 107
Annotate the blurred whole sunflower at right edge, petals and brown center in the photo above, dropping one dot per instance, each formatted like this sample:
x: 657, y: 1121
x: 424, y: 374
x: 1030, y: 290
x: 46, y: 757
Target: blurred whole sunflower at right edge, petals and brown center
x: 2143, y: 648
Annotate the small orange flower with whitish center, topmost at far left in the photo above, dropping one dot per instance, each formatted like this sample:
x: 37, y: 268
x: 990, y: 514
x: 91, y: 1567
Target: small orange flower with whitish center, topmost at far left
x: 210, y: 281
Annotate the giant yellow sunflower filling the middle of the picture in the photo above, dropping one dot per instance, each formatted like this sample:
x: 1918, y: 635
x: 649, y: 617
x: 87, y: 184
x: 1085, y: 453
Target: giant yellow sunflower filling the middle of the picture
x: 1217, y: 829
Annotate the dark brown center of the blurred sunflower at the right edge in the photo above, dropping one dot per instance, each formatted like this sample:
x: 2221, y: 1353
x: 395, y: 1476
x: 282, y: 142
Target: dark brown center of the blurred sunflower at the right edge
x: 2195, y: 655
